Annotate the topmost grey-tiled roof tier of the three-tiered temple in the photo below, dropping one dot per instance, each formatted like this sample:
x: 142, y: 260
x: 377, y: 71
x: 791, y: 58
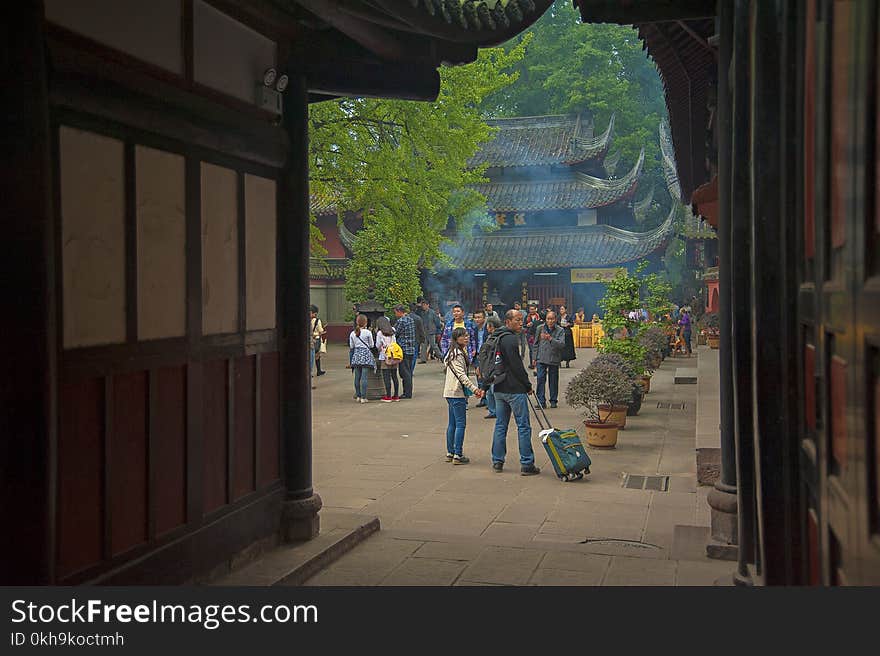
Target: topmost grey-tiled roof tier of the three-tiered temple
x: 542, y: 141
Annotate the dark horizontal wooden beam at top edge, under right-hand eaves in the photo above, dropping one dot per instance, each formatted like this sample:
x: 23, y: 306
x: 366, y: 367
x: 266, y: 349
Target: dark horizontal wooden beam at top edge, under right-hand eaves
x: 627, y: 12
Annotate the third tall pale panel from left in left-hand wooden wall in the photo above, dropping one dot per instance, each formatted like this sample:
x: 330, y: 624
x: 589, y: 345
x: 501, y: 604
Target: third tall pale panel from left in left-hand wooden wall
x: 219, y: 250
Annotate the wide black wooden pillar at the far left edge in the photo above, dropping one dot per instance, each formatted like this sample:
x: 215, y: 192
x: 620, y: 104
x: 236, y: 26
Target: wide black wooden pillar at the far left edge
x: 29, y: 372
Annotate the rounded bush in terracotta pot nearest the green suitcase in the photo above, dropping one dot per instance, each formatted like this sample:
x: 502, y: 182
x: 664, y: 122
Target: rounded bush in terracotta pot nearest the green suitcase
x: 600, y: 385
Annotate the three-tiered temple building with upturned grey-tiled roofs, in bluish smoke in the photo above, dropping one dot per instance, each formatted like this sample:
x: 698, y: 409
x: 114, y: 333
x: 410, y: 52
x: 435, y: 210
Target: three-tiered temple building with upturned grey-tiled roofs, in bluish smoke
x: 564, y: 223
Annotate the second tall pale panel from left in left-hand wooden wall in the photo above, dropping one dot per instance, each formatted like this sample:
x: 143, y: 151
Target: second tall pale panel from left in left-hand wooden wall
x: 161, y: 242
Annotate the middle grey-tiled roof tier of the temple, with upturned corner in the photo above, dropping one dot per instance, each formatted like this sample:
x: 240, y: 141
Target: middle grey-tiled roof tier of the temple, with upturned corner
x: 582, y: 191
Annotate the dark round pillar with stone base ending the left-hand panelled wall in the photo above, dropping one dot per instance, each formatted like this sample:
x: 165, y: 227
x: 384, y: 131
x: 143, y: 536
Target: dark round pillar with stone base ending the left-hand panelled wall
x: 300, y: 513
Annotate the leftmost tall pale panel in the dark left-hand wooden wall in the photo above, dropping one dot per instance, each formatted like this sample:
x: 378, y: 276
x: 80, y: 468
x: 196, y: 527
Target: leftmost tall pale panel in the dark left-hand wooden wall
x: 92, y: 238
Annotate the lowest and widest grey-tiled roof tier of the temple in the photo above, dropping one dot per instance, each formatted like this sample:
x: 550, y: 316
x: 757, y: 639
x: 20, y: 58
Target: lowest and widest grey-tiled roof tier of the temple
x: 582, y: 246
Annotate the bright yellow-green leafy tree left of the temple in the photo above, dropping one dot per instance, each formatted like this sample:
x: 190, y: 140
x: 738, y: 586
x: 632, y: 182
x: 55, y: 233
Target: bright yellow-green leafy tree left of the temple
x: 404, y: 165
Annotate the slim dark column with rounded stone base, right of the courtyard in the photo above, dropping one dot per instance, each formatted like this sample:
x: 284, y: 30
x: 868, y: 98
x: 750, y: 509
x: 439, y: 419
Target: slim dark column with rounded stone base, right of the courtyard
x: 722, y: 499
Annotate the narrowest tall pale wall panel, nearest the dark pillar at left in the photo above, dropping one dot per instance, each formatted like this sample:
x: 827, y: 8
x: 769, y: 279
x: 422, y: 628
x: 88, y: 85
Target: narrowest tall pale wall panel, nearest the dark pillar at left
x: 259, y: 199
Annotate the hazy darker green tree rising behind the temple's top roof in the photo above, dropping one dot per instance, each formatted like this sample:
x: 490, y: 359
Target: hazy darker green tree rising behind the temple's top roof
x: 601, y: 69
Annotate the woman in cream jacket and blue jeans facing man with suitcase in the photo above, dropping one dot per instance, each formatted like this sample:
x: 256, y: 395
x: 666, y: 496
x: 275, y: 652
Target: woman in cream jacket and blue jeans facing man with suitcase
x: 457, y: 381
